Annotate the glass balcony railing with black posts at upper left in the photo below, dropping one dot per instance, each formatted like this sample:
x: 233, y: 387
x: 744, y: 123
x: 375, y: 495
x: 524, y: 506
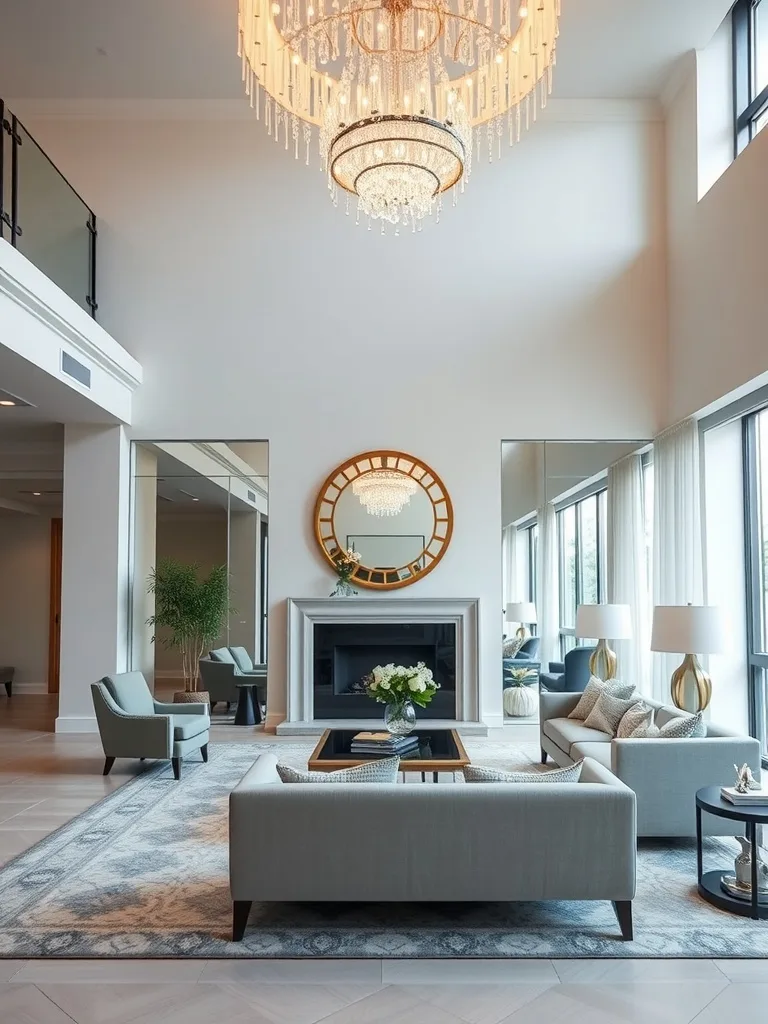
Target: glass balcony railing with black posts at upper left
x: 44, y: 218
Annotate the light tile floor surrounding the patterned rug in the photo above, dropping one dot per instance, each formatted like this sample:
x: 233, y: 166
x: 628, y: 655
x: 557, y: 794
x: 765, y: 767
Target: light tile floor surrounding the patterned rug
x: 48, y: 780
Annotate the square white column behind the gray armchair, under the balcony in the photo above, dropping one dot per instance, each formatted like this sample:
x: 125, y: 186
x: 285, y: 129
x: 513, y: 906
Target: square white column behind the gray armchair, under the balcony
x: 95, y: 568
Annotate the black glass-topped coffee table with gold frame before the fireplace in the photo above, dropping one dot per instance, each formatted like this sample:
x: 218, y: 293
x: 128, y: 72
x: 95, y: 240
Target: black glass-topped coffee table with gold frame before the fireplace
x: 440, y: 750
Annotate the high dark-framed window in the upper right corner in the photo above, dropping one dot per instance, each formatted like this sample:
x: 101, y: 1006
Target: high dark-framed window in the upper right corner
x: 750, y: 70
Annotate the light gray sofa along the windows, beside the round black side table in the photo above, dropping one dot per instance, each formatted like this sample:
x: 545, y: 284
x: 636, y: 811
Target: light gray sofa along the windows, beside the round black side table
x: 664, y: 774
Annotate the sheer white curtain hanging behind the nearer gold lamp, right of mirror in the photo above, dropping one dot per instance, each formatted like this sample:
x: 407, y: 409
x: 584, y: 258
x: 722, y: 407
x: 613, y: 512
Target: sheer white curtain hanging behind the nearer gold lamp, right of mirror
x: 677, y: 533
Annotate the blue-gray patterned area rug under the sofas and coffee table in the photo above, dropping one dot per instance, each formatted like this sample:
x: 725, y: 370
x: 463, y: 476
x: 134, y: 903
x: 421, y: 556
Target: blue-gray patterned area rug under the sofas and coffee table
x: 145, y: 874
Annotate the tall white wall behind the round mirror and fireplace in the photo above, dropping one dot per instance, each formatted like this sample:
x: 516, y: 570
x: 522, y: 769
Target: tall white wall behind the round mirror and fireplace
x: 535, y: 310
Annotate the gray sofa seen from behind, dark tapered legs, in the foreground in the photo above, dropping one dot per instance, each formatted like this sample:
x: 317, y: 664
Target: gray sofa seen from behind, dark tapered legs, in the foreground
x: 382, y: 843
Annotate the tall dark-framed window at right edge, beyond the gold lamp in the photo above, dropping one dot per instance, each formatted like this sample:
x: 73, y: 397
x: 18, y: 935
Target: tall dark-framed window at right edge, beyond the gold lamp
x: 756, y: 488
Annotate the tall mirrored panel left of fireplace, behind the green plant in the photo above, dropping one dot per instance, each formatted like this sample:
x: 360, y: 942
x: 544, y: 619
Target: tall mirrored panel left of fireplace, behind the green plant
x: 201, y: 505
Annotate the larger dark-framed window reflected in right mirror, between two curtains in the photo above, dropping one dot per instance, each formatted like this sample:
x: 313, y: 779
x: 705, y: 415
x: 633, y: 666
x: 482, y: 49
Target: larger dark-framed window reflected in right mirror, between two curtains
x: 582, y: 536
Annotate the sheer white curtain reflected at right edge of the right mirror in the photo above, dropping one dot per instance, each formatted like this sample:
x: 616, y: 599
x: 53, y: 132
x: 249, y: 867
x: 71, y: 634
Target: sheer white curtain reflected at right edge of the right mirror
x: 628, y: 571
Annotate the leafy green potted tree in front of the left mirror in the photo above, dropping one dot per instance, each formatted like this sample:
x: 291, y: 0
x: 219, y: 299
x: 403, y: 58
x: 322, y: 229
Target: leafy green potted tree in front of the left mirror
x: 191, y: 611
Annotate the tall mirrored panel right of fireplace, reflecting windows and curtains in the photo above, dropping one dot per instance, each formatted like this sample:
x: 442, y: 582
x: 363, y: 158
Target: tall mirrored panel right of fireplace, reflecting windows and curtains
x: 577, y: 531
